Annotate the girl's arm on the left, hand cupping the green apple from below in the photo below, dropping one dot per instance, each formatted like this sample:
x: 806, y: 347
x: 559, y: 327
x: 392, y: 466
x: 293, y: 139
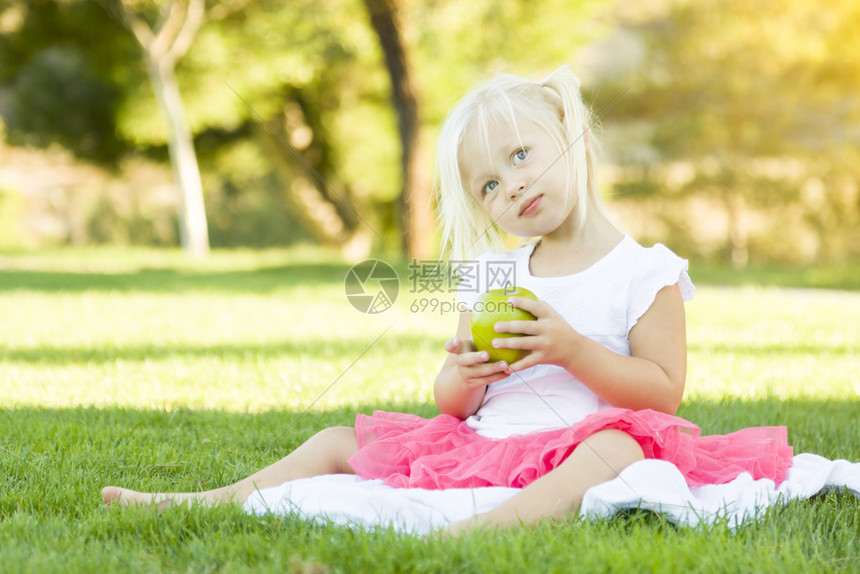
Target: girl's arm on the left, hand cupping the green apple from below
x: 462, y: 381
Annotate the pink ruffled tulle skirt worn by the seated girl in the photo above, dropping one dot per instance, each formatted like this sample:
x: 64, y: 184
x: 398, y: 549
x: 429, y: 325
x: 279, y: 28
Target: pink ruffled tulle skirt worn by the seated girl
x: 443, y: 452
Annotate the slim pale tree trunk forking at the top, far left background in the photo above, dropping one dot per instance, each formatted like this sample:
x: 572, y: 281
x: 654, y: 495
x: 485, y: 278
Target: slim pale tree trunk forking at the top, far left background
x: 163, y: 44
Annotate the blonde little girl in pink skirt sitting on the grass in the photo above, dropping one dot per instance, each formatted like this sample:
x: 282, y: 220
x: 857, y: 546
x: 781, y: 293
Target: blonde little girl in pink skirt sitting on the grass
x: 606, y: 362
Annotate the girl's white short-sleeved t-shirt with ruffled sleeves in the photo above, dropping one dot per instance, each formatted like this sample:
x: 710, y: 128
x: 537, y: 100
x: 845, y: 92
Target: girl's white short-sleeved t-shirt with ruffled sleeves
x: 603, y: 302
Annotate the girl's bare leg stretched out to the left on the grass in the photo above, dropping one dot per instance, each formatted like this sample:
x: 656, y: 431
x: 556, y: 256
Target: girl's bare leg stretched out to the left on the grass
x: 324, y: 453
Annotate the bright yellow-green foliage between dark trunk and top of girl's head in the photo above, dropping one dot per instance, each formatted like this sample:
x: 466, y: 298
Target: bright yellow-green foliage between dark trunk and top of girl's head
x: 457, y: 44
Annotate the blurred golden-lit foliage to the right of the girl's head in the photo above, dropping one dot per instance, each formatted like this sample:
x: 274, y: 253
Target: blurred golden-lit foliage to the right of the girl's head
x: 744, y: 113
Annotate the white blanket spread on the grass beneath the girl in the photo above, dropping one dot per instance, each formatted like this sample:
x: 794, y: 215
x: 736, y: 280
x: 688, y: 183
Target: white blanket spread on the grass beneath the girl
x: 650, y: 484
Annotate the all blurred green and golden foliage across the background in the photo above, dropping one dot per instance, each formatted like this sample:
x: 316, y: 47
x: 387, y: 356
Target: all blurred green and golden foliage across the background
x: 736, y: 142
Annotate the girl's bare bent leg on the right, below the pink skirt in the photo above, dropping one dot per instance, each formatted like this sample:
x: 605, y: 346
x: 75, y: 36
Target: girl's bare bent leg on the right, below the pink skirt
x: 598, y: 459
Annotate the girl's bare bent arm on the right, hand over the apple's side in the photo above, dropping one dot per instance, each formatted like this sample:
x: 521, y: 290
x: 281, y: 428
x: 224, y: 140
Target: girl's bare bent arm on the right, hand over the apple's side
x: 653, y: 377
